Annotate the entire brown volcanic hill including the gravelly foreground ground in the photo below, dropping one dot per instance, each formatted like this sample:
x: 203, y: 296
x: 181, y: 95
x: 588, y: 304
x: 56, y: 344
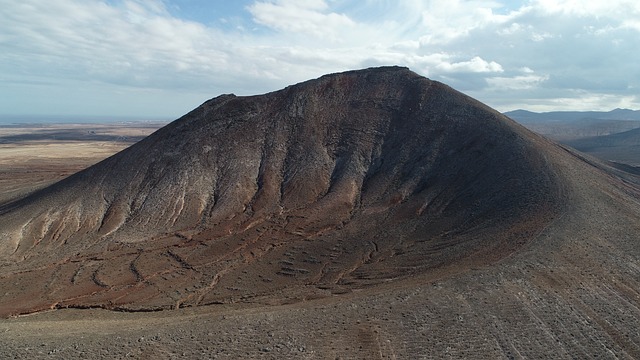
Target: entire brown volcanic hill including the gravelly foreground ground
x: 367, y: 214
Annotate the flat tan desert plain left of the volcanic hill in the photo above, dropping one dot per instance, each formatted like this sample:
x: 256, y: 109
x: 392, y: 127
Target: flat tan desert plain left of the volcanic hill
x: 35, y: 155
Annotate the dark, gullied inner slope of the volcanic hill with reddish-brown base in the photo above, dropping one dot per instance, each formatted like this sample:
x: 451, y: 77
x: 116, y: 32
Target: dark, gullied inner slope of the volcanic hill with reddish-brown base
x: 334, y: 184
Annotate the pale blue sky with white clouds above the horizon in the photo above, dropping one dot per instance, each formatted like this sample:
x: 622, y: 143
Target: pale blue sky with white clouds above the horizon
x: 162, y: 58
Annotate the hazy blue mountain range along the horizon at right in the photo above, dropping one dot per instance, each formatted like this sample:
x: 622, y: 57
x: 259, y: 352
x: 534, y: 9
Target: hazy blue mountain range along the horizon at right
x: 525, y: 116
